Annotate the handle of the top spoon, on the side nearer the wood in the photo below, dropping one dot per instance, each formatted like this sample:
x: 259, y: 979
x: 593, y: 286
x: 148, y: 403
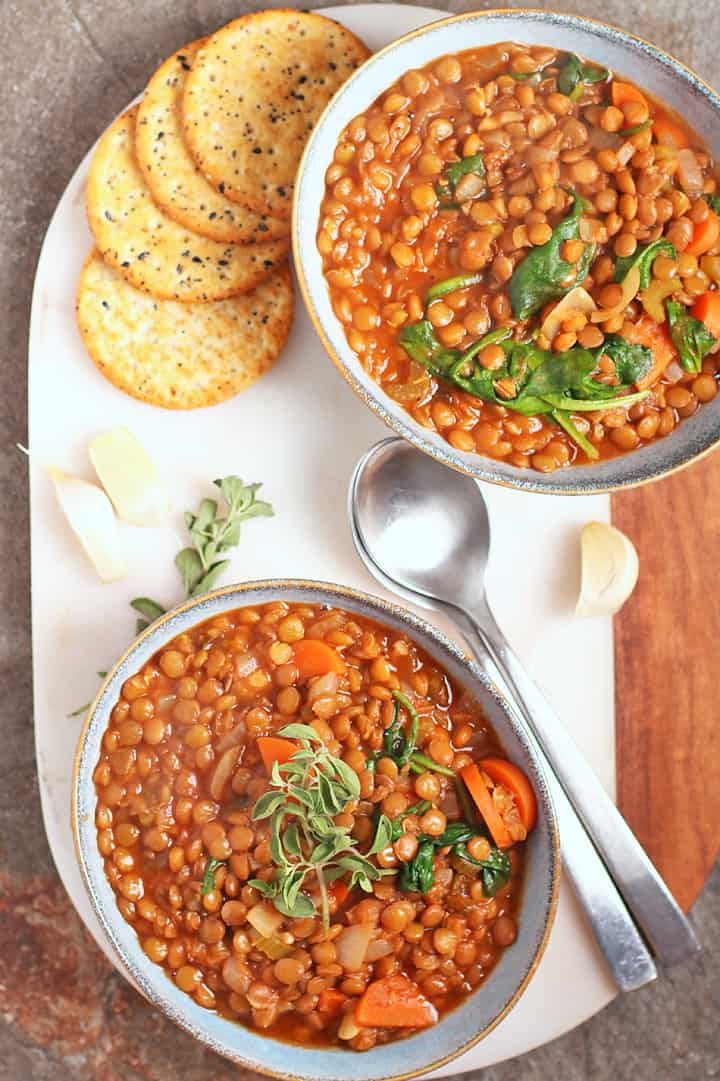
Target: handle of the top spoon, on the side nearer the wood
x: 649, y: 900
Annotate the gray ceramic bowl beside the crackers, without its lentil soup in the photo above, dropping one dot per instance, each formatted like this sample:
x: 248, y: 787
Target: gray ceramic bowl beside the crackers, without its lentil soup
x: 624, y: 54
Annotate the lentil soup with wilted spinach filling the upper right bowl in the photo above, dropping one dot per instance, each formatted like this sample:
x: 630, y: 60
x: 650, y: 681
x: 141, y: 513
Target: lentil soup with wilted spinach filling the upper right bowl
x: 525, y: 252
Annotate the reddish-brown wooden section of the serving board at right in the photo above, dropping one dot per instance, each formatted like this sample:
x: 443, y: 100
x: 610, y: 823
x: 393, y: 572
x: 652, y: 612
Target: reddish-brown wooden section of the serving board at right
x: 668, y: 697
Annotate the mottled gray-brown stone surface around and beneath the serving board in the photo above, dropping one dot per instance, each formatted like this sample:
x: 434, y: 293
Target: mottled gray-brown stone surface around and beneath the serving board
x: 69, y: 68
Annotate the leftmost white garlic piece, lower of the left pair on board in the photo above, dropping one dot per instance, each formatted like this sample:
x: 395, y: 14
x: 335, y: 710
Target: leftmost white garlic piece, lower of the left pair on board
x: 90, y: 515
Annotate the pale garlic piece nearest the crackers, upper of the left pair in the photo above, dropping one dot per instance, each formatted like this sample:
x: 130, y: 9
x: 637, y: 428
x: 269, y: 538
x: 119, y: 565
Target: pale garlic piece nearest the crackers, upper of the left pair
x: 130, y: 477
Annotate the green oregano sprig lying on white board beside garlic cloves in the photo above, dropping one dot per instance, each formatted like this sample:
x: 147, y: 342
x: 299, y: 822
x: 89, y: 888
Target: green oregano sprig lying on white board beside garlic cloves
x: 214, y: 536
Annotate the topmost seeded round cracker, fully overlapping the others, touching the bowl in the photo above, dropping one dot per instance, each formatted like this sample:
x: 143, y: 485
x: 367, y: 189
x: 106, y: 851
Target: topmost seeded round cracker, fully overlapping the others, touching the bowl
x: 254, y: 97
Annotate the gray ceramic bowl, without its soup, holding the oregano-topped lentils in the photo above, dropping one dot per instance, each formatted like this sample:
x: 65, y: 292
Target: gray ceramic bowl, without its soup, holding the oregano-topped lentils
x: 461, y: 1029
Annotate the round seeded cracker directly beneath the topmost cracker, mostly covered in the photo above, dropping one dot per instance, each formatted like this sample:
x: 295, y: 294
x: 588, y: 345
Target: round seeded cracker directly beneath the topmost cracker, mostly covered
x: 177, y: 184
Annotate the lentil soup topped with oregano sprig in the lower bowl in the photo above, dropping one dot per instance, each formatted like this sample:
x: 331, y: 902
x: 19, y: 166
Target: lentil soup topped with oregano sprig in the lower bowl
x: 311, y: 825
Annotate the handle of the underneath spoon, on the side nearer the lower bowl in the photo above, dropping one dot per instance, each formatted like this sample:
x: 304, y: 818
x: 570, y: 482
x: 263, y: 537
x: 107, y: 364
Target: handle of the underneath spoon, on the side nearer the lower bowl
x: 629, y: 959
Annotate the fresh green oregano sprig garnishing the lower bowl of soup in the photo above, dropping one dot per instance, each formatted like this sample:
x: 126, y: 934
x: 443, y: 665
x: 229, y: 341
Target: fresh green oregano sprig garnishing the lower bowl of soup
x: 306, y: 793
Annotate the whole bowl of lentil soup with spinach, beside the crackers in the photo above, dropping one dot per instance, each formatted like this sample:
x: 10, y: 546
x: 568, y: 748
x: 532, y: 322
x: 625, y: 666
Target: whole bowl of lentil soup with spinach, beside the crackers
x: 516, y: 256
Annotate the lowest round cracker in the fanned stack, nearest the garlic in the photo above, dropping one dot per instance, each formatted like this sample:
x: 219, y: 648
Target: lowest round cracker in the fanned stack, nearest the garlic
x: 181, y: 356
